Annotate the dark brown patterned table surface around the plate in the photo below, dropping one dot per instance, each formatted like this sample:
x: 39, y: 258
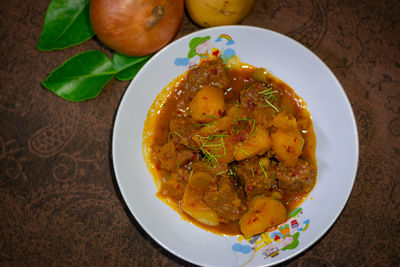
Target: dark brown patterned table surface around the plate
x: 59, y: 202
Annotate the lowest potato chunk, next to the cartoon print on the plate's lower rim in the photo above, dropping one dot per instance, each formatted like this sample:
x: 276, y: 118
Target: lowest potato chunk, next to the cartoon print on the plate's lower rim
x: 264, y: 212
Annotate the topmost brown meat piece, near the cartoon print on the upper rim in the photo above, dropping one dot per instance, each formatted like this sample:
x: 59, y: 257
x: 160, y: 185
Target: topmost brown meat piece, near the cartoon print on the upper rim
x: 211, y: 72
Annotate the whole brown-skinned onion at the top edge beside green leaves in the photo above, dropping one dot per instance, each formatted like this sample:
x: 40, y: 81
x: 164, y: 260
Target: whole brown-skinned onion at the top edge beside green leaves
x: 124, y: 25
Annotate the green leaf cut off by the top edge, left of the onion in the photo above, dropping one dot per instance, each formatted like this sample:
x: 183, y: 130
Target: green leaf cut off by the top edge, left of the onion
x: 67, y: 23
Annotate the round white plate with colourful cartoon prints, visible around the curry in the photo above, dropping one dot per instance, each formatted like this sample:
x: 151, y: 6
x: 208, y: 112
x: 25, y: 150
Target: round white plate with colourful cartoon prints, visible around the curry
x: 334, y: 124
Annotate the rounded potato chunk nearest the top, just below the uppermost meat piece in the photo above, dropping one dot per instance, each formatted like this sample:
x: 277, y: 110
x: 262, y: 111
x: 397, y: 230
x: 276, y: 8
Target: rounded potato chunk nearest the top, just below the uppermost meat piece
x: 208, y: 104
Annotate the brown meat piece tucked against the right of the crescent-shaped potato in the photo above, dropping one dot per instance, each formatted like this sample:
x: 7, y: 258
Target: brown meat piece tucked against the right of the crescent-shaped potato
x: 224, y: 200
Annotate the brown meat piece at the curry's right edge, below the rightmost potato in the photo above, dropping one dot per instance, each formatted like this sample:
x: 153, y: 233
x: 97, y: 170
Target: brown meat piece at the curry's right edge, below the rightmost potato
x: 298, y: 179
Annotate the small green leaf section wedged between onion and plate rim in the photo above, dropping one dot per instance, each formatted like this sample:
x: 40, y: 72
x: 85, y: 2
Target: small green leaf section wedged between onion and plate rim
x: 127, y: 67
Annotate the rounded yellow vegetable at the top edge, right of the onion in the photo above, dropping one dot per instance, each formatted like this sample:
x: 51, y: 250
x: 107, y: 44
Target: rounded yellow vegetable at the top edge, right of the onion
x: 209, y: 13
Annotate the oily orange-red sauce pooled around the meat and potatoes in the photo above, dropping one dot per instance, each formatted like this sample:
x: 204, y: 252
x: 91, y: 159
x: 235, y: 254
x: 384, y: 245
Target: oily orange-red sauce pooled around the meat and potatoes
x: 173, y: 102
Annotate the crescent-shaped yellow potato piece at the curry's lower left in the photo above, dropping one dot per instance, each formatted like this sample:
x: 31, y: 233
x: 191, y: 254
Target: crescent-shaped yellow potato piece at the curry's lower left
x: 192, y: 202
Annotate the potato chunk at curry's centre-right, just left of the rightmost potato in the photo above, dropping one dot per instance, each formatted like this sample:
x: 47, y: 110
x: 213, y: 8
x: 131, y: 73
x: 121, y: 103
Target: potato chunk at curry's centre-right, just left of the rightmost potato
x: 258, y: 144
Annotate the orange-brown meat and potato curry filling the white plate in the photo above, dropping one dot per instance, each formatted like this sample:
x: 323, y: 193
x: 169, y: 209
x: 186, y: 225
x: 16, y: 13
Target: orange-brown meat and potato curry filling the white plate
x: 231, y: 148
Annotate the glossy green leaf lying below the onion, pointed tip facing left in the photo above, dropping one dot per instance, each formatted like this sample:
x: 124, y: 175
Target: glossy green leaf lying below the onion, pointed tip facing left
x: 81, y: 77
